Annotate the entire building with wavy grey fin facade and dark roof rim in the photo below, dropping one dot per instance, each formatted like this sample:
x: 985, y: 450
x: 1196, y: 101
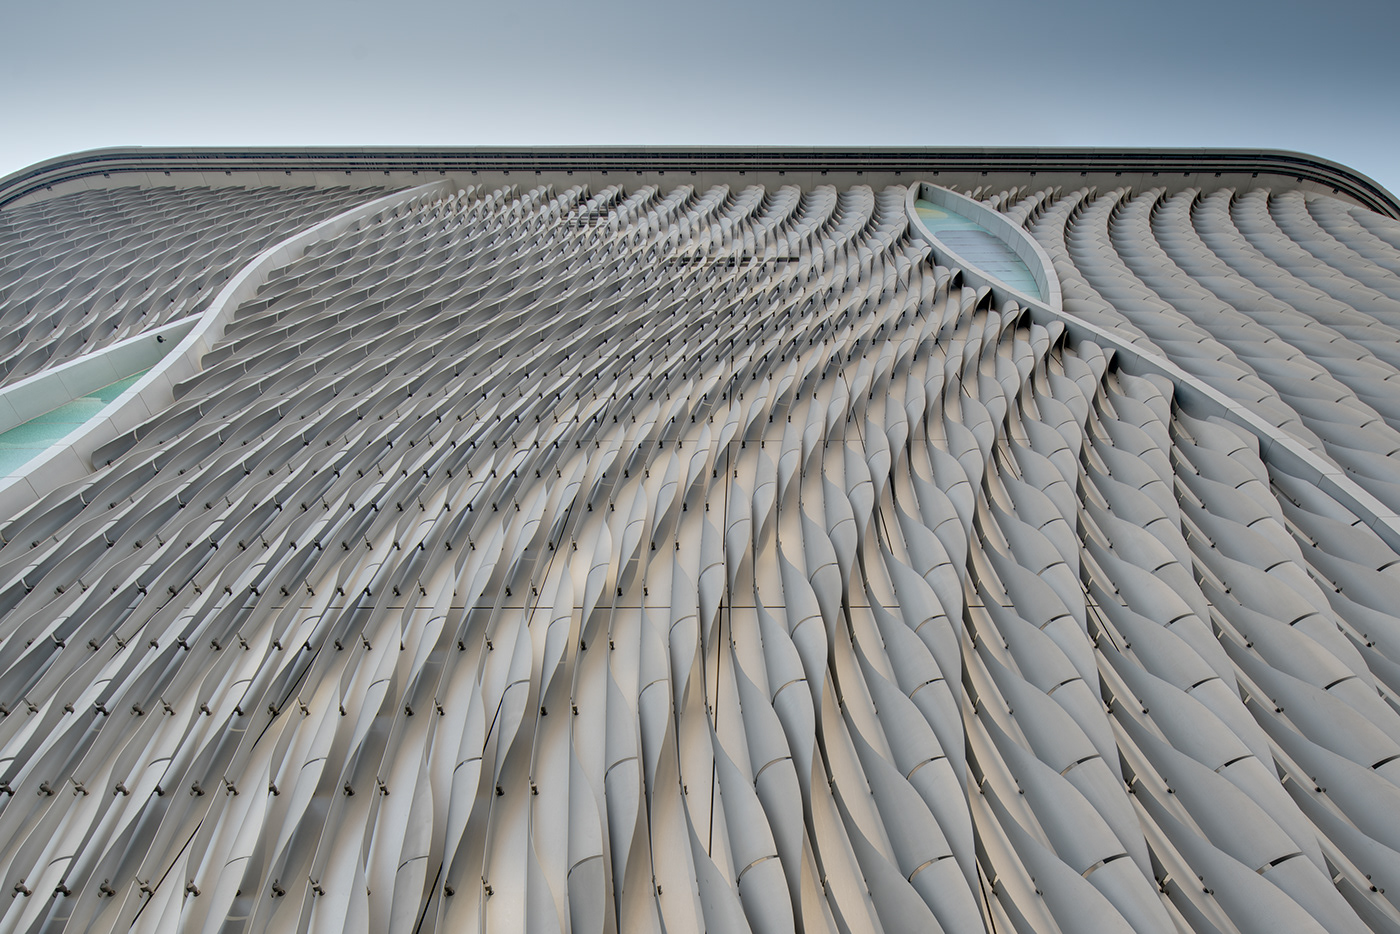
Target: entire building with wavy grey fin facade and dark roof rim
x: 813, y: 543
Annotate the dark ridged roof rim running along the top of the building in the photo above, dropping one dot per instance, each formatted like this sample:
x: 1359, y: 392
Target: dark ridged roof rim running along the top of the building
x: 659, y: 159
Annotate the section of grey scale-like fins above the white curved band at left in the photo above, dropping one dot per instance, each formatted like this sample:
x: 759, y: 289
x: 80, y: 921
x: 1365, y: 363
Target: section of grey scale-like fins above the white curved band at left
x: 85, y: 271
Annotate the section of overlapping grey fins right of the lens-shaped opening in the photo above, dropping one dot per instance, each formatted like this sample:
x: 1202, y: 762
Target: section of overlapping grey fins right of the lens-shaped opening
x: 1255, y: 296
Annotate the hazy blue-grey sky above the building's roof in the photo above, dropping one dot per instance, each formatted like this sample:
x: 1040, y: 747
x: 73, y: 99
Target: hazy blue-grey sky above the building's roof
x: 1317, y: 78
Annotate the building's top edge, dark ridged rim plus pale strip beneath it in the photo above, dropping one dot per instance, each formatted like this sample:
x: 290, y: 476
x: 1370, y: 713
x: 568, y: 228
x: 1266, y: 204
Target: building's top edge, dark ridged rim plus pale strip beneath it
x: 1174, y: 169
